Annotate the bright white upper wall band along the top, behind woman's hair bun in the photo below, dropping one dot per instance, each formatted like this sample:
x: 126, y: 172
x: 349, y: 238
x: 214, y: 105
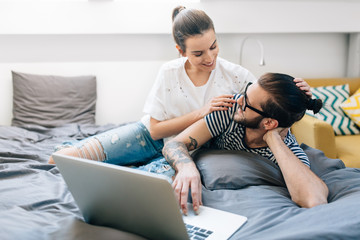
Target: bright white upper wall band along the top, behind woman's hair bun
x: 146, y: 16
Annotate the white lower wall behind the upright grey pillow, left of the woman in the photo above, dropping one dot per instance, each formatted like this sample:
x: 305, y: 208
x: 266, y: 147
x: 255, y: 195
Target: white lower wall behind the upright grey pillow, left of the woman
x: 122, y: 87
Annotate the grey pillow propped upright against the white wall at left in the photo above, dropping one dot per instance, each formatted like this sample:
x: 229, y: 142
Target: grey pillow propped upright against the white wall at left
x: 52, y: 101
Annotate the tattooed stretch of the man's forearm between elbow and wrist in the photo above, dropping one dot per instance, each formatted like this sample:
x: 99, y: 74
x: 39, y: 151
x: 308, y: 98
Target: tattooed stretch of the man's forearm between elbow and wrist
x: 176, y: 152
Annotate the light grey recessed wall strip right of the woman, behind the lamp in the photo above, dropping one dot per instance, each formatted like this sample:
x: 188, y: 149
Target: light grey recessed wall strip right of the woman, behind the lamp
x: 307, y: 55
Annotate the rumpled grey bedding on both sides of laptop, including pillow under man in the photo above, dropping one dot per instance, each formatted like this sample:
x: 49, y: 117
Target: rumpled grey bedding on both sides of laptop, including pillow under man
x: 35, y: 202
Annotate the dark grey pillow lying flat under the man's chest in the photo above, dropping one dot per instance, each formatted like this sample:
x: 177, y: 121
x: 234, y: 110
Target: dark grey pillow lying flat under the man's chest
x: 230, y: 169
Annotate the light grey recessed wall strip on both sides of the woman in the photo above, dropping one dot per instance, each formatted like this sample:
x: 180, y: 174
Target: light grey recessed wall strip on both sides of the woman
x: 300, y: 54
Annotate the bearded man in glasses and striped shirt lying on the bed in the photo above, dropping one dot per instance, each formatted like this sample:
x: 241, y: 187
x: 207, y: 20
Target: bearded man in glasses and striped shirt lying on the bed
x: 259, y: 122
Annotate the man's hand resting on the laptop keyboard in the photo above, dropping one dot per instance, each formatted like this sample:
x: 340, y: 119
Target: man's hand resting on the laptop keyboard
x: 187, y: 178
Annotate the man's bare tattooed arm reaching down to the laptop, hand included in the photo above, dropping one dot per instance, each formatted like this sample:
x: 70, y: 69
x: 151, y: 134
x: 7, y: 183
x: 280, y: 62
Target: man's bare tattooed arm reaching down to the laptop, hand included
x: 187, y: 176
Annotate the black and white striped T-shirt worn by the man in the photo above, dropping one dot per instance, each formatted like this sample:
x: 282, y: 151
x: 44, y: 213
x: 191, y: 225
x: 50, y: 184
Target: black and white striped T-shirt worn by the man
x: 230, y: 135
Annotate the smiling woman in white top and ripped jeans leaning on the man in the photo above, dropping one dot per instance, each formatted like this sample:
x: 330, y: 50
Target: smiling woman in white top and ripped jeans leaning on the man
x: 186, y: 90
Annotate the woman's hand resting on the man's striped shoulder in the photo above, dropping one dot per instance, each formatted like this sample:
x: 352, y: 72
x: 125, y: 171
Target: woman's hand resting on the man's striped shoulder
x: 220, y: 103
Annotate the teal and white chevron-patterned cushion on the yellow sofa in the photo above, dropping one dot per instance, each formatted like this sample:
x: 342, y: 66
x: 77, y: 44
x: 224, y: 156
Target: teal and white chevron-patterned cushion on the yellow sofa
x: 331, y: 112
